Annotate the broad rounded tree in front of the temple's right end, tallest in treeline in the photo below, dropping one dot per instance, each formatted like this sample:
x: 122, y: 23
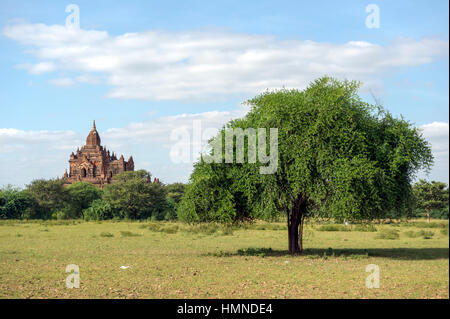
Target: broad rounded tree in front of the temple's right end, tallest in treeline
x: 133, y: 195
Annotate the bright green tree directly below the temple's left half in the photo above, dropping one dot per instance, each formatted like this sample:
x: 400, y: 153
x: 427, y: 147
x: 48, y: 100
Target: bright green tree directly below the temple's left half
x: 80, y: 195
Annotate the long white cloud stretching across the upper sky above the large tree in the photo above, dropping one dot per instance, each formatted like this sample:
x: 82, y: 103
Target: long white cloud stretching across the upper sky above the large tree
x: 203, y: 64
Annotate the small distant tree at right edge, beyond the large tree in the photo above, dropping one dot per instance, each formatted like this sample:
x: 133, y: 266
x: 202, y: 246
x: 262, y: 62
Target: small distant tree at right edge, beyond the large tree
x: 430, y: 195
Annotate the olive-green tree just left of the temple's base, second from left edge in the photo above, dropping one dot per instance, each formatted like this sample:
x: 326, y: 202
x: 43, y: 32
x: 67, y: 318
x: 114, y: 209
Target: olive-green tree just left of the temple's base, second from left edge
x: 48, y: 197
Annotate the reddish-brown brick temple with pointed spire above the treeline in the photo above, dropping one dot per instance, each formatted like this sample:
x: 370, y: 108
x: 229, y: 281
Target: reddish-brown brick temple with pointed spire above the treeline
x: 93, y: 163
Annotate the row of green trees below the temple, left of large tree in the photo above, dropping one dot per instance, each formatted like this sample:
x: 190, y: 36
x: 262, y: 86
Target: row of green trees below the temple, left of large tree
x: 131, y: 196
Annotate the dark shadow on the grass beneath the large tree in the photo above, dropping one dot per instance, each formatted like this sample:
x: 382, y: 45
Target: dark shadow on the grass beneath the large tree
x: 394, y: 253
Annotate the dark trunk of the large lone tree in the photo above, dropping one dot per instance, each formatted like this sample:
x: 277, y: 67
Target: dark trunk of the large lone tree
x: 295, y: 226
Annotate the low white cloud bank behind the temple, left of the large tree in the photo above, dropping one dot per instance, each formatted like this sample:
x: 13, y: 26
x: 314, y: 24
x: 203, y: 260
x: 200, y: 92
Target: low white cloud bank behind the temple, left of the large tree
x: 28, y: 155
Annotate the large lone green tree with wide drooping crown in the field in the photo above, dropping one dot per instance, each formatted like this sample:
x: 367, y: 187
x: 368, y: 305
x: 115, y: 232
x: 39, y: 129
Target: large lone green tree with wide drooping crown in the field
x: 337, y: 157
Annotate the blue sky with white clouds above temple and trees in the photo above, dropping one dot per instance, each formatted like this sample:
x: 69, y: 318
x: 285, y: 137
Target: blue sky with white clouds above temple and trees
x: 143, y: 70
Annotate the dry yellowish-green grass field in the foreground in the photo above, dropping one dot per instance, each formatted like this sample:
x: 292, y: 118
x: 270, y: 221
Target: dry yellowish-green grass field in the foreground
x: 174, y: 260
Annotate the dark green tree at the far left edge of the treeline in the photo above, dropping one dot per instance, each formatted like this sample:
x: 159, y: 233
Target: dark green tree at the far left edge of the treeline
x: 14, y: 203
